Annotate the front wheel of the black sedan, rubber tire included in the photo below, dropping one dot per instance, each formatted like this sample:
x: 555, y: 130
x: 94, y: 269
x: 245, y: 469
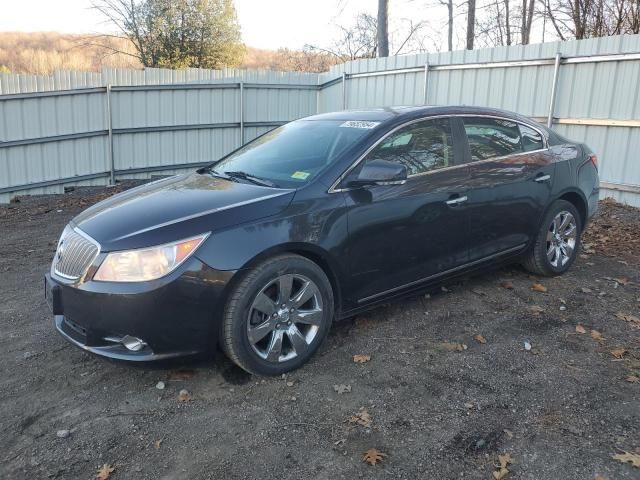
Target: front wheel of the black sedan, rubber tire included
x: 285, y: 302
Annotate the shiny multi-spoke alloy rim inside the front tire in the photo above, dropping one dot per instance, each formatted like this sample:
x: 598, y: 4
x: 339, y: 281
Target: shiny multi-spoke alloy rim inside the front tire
x: 284, y: 318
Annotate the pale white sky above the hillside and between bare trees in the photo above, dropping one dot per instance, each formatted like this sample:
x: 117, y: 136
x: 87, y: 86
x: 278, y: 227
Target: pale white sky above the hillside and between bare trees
x: 269, y: 24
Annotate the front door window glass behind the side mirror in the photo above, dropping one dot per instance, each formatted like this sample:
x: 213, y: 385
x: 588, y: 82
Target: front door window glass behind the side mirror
x: 421, y: 147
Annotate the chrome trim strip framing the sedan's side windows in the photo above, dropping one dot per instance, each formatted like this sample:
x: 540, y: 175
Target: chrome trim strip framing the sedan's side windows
x: 545, y: 140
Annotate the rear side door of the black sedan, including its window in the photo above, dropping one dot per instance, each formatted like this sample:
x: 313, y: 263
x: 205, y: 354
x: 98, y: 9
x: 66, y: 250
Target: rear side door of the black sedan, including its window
x: 511, y: 175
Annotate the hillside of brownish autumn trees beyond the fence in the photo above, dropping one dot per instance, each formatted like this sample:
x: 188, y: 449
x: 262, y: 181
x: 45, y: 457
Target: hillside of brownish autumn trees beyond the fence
x: 45, y: 52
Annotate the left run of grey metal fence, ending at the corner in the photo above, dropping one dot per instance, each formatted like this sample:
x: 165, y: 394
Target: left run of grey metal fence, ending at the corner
x: 94, y: 135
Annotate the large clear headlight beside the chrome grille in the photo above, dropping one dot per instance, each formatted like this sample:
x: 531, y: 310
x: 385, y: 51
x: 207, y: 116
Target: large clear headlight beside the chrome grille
x: 146, y: 263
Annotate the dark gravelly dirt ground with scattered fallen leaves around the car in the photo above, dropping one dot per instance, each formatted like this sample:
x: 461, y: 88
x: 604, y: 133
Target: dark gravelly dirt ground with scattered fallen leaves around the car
x: 438, y: 401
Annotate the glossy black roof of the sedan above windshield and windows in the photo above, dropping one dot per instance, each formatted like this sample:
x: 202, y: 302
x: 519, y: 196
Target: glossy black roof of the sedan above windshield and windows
x: 403, y: 113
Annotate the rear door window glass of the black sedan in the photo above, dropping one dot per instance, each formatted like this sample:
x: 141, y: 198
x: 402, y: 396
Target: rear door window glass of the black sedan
x: 491, y: 137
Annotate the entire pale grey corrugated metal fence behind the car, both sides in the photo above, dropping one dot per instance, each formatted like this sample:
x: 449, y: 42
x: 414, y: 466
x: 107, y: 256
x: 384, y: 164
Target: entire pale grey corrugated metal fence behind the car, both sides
x: 164, y: 121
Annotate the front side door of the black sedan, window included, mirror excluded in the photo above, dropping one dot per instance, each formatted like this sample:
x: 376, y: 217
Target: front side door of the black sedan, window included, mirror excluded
x: 400, y: 235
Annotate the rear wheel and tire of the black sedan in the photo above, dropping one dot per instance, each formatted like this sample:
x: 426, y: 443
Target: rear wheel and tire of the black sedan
x: 556, y: 244
